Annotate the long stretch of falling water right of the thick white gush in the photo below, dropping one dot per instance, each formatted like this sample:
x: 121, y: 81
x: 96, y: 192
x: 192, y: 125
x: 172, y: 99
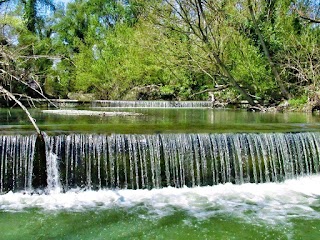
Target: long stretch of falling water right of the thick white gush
x: 153, y: 161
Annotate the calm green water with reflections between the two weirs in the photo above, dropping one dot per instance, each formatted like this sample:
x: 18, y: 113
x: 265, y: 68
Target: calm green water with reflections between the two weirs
x: 163, y: 121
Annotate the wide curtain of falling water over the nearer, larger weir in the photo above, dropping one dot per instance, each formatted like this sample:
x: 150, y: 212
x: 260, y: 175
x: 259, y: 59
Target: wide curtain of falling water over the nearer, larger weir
x: 123, y: 161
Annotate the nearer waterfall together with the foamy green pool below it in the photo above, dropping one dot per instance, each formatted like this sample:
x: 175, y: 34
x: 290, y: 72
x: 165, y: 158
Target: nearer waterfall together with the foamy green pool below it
x: 133, y: 186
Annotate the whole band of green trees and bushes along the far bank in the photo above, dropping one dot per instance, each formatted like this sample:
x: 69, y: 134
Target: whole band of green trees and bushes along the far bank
x: 114, y: 49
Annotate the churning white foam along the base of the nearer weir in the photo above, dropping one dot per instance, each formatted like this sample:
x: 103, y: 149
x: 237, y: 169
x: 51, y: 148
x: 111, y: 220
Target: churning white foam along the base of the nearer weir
x: 271, y: 202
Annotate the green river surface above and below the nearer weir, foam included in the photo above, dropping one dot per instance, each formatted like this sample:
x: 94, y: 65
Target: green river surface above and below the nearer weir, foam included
x: 285, y: 210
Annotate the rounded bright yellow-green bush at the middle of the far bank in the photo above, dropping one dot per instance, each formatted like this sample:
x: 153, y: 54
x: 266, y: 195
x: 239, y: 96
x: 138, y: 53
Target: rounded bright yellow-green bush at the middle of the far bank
x: 122, y: 61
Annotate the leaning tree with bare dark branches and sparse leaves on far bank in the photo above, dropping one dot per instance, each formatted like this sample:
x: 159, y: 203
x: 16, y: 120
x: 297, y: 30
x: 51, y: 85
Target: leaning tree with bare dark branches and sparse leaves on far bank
x: 203, y: 23
